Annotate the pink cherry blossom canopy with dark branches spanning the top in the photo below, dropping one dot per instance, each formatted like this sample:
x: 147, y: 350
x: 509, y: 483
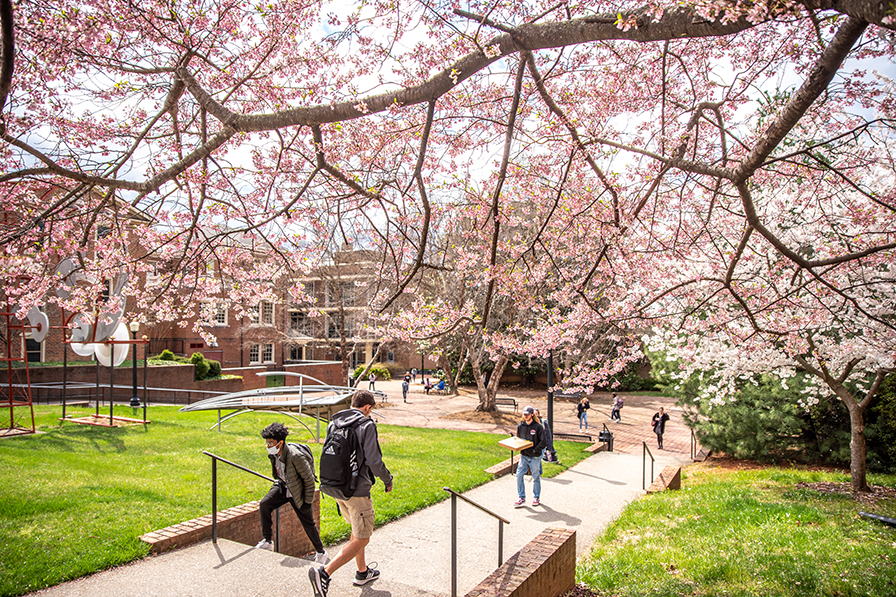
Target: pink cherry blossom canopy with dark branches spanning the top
x: 583, y: 150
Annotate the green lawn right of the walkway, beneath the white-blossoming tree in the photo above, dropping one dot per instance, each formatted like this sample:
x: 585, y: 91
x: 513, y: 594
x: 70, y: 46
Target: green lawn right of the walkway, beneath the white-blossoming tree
x: 746, y: 533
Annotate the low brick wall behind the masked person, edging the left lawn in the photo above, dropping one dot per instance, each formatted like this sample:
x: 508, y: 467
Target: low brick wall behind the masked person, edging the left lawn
x: 241, y: 524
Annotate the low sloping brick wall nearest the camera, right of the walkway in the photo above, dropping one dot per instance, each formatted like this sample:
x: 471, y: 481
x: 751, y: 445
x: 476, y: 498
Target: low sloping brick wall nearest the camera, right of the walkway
x: 545, y: 567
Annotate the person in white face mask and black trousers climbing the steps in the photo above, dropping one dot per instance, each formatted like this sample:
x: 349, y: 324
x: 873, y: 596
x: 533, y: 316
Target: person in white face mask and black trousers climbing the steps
x: 292, y: 466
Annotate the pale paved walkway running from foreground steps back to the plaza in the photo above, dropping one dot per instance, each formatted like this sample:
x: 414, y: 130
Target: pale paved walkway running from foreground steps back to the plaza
x: 413, y: 553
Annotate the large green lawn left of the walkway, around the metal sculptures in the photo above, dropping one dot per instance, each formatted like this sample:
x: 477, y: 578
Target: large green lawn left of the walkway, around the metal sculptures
x: 75, y: 498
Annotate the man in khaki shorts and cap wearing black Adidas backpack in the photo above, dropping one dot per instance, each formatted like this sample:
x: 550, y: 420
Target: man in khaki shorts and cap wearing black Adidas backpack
x: 364, y: 464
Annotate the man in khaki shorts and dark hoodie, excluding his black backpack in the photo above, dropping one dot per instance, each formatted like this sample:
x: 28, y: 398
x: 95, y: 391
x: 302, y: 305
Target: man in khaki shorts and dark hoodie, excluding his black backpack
x: 356, y: 509
